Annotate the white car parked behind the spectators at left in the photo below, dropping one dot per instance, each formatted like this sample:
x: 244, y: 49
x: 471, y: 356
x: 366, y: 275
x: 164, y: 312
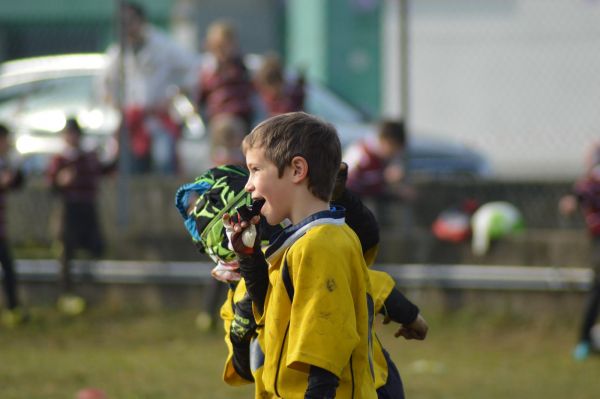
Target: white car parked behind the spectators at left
x: 37, y: 95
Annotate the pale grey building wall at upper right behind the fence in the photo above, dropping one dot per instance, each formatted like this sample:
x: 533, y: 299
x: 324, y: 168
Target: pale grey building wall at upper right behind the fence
x: 516, y: 80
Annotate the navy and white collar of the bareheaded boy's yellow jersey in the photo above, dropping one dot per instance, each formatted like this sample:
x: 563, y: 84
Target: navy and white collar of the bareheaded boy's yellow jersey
x: 289, y: 235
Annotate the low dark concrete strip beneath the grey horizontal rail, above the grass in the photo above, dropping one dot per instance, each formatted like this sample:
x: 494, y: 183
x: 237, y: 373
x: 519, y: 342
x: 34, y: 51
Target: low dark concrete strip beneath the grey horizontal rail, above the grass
x: 537, y: 305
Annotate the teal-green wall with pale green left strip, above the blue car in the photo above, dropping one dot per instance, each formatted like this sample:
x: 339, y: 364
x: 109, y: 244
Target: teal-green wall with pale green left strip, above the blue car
x: 338, y: 41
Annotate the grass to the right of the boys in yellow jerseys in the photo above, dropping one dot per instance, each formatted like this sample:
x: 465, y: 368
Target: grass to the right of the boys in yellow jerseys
x: 494, y: 356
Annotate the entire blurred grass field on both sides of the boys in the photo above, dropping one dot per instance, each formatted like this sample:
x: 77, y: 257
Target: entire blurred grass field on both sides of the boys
x: 132, y: 354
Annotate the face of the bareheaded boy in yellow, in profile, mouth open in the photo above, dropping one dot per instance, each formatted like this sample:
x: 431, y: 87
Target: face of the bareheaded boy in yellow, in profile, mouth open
x: 264, y: 182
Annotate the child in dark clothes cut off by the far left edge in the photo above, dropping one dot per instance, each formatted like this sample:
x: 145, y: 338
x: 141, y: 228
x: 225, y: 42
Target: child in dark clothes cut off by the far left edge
x: 10, y: 178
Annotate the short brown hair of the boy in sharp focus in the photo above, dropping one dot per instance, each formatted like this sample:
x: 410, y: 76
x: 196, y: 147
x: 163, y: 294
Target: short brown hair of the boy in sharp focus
x: 299, y: 134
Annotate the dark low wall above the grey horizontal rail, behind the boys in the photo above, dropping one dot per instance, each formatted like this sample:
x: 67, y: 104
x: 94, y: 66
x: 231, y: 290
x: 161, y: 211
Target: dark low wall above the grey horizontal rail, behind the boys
x: 155, y: 230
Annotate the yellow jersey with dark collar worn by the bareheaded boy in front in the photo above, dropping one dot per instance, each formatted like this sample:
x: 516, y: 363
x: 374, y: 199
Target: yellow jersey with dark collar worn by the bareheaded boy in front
x: 328, y: 324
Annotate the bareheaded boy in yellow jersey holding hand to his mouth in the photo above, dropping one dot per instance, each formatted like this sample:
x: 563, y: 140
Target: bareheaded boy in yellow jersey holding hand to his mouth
x: 318, y: 345
